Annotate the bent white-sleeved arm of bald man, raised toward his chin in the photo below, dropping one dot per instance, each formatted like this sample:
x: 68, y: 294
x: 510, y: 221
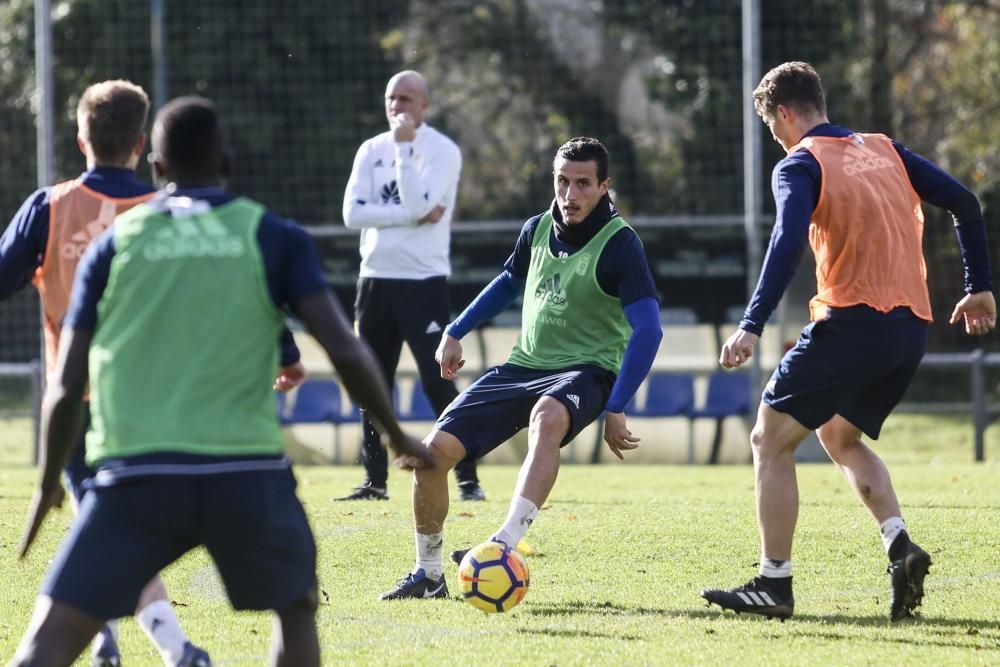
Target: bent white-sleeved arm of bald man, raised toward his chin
x: 420, y: 193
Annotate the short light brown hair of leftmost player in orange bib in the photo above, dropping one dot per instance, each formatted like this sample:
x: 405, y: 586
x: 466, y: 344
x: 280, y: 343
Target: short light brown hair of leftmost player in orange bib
x: 111, y: 116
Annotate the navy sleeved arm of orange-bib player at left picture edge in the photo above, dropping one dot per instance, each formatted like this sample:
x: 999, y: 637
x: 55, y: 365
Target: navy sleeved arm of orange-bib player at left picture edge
x: 22, y: 246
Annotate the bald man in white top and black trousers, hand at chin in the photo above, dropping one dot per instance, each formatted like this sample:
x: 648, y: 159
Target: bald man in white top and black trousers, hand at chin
x: 401, y: 195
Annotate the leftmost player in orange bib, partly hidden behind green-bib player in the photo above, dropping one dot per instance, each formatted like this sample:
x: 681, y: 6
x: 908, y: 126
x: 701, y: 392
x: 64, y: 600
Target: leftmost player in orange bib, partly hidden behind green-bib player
x: 43, y: 243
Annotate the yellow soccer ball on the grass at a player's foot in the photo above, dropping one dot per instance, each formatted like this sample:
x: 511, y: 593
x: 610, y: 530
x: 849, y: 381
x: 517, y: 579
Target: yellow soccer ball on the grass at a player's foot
x: 493, y: 577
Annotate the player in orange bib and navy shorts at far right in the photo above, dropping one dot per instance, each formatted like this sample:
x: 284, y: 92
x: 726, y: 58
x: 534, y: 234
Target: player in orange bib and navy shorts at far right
x: 855, y: 198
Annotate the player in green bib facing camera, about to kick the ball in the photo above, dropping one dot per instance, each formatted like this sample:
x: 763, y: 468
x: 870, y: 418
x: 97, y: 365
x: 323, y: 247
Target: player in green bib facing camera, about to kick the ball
x: 590, y: 330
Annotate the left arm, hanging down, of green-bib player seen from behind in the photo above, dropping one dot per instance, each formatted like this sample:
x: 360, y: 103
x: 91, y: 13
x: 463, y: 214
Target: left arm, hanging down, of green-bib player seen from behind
x: 63, y: 412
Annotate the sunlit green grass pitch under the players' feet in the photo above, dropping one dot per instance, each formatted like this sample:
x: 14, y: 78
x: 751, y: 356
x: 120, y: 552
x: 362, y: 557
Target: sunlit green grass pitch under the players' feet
x: 621, y: 555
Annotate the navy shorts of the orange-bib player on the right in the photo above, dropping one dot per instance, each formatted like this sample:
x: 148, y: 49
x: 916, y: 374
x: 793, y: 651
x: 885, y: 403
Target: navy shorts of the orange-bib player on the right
x: 858, y: 369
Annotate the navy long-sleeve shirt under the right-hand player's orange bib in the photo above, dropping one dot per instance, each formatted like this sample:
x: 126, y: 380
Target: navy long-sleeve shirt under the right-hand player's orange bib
x: 796, y: 183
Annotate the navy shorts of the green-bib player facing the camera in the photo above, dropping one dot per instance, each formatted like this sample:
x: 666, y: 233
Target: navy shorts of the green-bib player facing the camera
x: 496, y: 406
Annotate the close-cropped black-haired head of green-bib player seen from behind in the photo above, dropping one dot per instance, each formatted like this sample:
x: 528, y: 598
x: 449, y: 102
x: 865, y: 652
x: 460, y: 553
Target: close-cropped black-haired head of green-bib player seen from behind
x: 189, y: 136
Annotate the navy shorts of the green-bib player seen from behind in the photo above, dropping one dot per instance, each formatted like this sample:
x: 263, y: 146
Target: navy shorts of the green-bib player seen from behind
x: 252, y: 524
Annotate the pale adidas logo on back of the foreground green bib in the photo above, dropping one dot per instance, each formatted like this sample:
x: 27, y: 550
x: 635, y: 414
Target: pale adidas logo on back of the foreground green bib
x: 193, y: 236
